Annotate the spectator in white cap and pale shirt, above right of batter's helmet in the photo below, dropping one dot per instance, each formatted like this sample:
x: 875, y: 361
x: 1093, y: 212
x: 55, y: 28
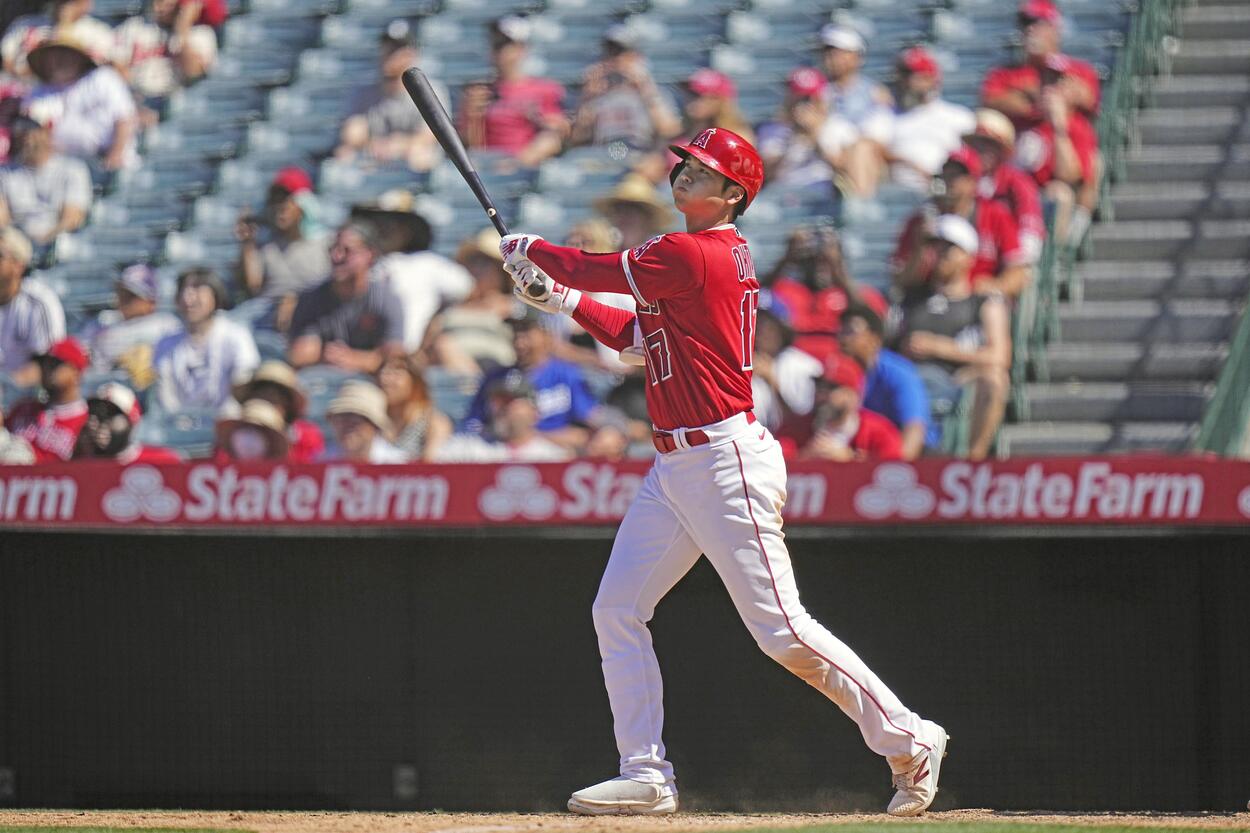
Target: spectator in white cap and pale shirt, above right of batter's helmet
x: 858, y: 106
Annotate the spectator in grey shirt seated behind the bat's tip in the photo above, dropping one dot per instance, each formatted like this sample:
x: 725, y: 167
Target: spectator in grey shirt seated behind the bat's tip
x: 384, y: 126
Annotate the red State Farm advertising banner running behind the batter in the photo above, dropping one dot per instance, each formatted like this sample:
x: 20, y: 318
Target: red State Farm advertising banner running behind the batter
x: 1142, y: 491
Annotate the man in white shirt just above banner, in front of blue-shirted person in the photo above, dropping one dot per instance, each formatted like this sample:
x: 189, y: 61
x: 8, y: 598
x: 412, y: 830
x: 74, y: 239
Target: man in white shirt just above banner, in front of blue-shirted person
x: 513, y: 435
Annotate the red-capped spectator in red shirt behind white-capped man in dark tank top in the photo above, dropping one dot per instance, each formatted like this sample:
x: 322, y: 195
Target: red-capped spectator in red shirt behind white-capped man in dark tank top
x: 1002, y: 265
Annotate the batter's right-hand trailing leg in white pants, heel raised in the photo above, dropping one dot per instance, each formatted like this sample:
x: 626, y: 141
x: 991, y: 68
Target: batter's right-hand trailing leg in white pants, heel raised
x: 744, y: 542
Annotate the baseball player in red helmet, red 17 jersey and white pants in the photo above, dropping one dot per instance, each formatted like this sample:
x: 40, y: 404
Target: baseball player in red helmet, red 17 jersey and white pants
x: 718, y: 483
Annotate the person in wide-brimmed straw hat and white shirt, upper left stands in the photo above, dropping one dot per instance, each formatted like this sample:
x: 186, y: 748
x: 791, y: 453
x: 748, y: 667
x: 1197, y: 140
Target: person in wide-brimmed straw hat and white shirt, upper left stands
x: 88, y: 108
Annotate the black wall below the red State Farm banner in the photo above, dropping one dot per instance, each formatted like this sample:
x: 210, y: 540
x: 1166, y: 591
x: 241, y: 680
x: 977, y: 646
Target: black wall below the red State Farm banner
x: 461, y: 672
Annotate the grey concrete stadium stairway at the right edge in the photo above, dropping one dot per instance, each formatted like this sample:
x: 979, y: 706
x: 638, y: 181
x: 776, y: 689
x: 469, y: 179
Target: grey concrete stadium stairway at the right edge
x: 1146, y: 328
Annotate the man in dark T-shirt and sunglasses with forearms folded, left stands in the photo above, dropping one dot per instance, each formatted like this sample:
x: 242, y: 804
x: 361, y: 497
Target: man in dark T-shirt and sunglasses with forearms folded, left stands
x: 352, y: 321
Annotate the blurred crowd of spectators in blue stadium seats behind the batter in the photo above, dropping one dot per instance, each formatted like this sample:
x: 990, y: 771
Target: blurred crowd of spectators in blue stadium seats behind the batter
x: 227, y: 232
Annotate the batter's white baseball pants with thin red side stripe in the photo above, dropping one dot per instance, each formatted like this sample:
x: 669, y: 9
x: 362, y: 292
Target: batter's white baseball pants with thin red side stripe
x: 724, y: 500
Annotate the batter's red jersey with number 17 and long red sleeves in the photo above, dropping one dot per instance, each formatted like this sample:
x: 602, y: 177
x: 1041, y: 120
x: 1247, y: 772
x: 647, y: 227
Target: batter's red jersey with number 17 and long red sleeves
x: 697, y: 298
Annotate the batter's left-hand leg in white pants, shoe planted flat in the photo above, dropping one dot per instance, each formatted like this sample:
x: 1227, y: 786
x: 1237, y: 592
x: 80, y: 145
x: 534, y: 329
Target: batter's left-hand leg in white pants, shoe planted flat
x: 651, y: 555
